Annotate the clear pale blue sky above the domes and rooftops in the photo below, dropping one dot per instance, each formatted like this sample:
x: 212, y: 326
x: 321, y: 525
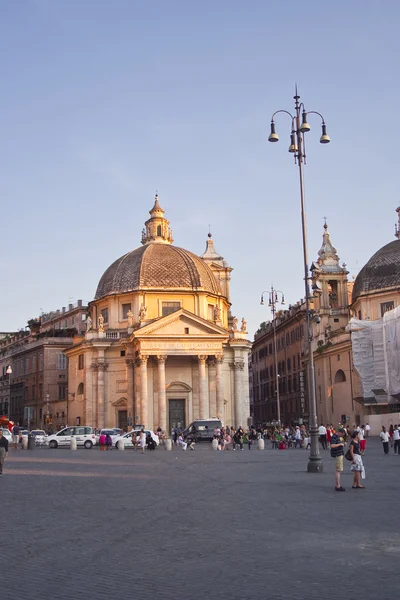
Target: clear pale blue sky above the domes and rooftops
x: 103, y: 103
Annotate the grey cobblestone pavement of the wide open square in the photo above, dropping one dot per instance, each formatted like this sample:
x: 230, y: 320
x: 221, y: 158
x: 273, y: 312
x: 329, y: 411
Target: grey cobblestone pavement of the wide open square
x: 180, y: 525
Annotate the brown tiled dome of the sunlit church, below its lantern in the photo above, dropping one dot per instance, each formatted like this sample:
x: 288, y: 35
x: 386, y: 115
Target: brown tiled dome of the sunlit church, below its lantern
x: 157, y: 266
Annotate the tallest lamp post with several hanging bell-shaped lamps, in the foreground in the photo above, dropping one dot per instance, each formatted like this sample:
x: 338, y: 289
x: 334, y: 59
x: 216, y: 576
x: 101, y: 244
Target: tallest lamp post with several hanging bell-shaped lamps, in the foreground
x: 300, y: 127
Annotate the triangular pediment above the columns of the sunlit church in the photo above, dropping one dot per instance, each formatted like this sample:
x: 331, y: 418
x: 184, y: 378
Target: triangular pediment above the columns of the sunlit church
x: 181, y: 323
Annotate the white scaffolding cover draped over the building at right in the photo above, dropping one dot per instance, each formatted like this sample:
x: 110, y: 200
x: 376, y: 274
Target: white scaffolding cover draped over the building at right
x: 376, y: 353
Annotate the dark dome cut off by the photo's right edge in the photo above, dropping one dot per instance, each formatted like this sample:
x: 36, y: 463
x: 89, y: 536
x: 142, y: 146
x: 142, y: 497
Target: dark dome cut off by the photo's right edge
x: 381, y: 271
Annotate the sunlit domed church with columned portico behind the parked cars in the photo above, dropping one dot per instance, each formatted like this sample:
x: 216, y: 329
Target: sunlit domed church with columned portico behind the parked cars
x: 161, y: 347
